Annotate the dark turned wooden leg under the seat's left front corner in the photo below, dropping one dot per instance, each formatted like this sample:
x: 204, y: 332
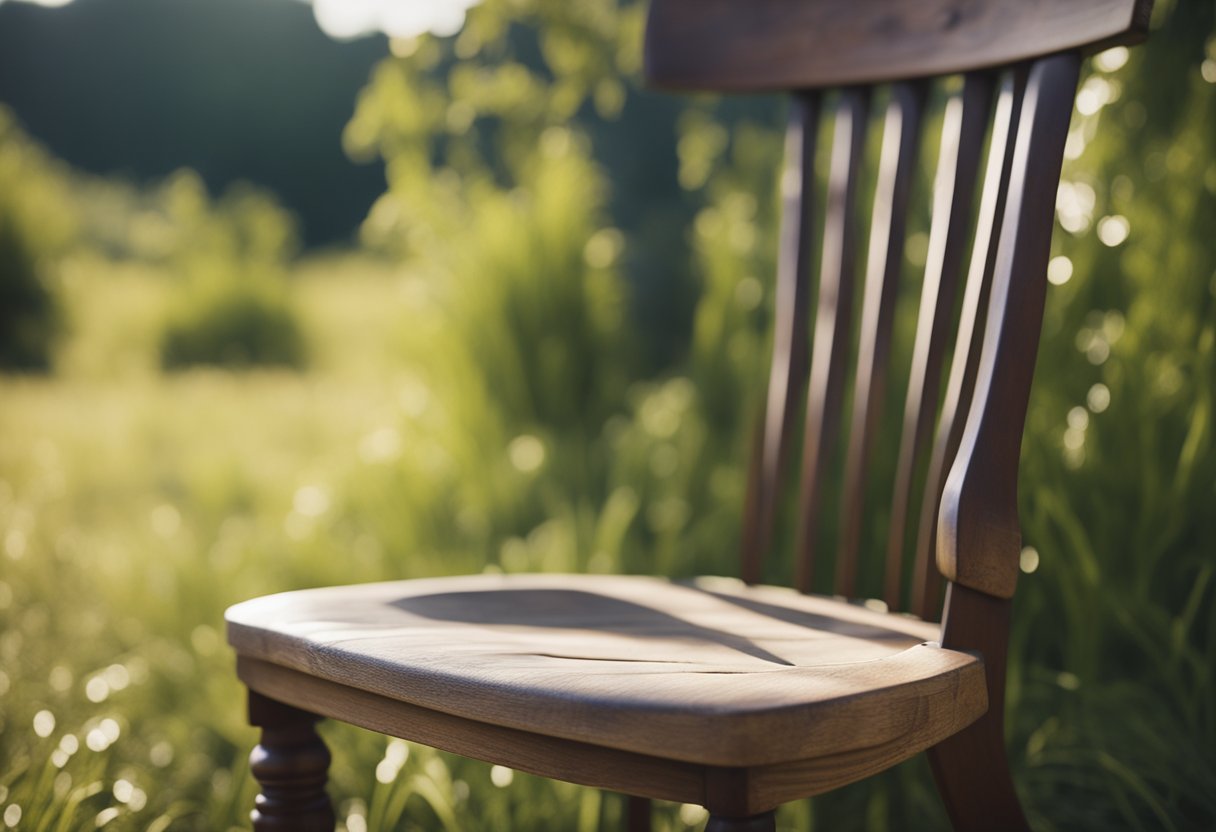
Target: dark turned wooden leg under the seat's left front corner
x: 290, y: 764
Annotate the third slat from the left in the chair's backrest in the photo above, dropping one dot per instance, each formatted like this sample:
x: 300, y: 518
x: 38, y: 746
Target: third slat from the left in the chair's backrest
x: 902, y: 144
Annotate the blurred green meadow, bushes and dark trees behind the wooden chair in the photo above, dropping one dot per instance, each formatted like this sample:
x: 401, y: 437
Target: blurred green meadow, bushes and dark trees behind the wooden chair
x: 296, y: 295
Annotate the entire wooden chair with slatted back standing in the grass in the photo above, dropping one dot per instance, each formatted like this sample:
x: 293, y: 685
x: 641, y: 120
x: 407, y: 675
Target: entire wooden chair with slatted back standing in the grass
x: 725, y: 694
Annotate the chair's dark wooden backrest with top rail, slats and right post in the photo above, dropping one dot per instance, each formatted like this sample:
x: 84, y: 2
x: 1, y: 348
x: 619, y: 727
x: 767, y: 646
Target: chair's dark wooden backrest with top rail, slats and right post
x: 1020, y: 61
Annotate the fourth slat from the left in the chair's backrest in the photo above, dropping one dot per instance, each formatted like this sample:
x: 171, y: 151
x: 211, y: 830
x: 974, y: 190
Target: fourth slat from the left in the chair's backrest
x: 962, y: 145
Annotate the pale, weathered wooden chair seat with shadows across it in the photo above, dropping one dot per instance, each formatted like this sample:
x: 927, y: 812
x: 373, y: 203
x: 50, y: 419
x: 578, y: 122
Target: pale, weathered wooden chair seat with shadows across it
x: 710, y: 672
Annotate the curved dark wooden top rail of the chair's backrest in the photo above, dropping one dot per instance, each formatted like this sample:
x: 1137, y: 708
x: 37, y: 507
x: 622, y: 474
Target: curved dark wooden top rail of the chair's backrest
x: 748, y: 46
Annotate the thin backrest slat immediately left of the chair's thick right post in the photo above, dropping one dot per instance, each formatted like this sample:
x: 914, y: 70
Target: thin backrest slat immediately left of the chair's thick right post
x: 926, y: 578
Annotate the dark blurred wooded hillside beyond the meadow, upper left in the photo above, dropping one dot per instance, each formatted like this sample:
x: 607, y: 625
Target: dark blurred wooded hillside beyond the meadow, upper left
x: 235, y: 89
